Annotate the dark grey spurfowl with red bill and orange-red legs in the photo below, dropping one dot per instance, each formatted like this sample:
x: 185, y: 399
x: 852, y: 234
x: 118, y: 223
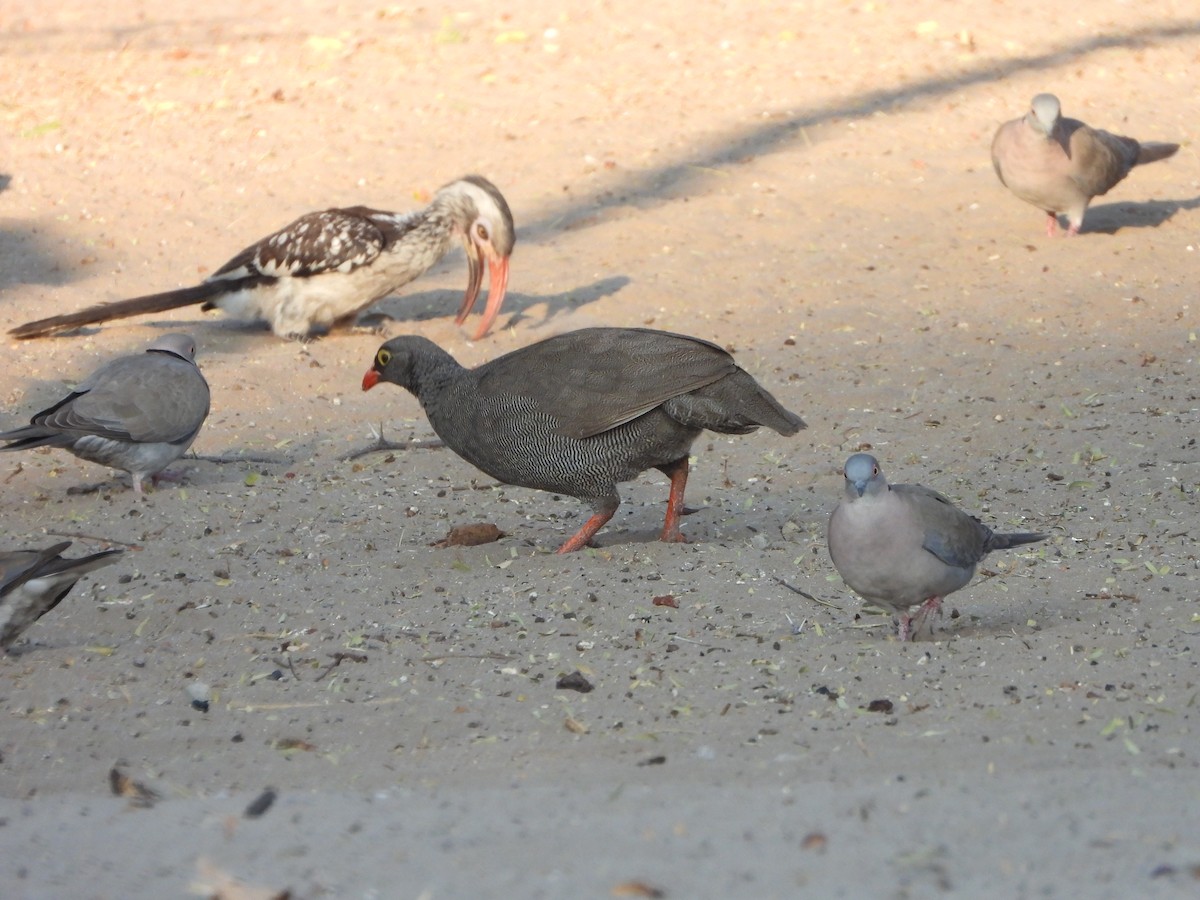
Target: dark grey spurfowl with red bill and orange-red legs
x: 583, y: 412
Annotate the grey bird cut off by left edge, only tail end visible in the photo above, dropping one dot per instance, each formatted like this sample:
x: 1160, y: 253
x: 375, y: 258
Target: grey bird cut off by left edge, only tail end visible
x: 34, y: 581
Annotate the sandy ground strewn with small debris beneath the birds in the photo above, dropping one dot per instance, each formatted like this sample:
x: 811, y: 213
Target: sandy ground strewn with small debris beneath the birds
x: 807, y: 184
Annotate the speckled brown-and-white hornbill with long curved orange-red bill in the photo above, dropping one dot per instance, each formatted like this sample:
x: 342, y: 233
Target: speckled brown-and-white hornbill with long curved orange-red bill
x: 327, y: 267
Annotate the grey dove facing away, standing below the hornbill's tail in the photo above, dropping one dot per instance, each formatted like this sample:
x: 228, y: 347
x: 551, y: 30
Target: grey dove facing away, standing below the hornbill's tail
x: 139, y: 413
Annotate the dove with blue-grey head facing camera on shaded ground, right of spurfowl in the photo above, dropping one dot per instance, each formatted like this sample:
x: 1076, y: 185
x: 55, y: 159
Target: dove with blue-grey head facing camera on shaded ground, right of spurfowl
x: 902, y: 545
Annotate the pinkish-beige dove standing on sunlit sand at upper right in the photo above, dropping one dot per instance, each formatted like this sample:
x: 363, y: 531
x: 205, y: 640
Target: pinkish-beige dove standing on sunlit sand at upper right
x: 1060, y: 165
